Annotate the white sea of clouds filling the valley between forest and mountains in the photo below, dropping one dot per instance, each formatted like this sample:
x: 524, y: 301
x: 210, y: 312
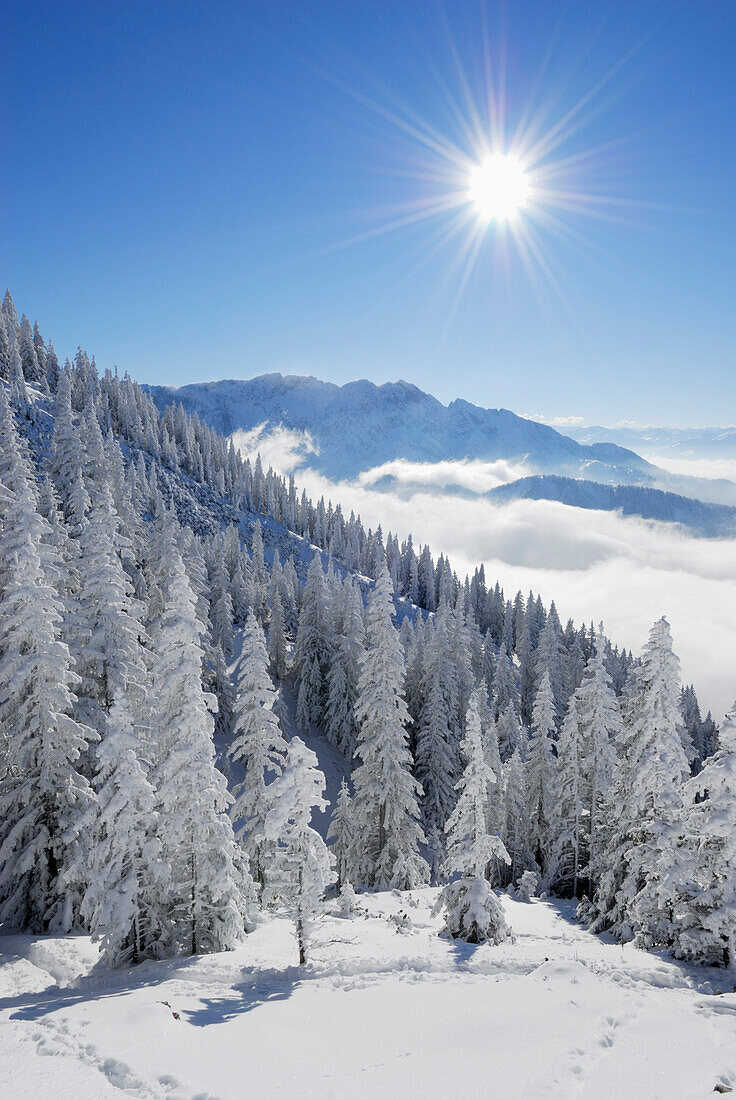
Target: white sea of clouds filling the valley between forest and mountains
x: 595, y: 565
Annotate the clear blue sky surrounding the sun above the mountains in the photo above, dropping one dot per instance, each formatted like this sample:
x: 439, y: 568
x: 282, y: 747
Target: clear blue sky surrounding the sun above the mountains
x: 177, y: 178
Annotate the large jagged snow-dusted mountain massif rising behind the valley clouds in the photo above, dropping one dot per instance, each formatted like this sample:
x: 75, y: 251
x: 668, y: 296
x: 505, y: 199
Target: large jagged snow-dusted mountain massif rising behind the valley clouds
x: 360, y: 425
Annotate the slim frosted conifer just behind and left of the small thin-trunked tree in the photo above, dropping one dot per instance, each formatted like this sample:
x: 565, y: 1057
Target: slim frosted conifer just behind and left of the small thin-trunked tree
x: 258, y: 747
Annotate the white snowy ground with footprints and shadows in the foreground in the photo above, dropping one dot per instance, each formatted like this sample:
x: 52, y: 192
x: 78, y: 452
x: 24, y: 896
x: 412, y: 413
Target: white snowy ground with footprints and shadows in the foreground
x: 386, y: 1008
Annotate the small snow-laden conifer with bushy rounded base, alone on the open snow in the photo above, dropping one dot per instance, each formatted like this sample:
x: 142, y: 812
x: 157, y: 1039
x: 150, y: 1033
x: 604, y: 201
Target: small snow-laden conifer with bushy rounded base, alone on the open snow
x: 473, y: 910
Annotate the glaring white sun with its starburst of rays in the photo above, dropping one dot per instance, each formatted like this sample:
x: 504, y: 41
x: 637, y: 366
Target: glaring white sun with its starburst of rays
x: 497, y: 179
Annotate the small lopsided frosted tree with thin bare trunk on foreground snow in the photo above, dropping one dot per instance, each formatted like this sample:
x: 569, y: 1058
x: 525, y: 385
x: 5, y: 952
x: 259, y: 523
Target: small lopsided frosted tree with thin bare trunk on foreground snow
x: 302, y: 867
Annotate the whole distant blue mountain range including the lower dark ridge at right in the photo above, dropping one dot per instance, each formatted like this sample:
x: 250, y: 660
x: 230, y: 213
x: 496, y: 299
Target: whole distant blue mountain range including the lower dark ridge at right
x: 360, y: 426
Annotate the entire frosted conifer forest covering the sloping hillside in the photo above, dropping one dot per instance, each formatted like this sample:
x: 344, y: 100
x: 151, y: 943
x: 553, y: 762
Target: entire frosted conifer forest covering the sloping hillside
x: 179, y: 628
